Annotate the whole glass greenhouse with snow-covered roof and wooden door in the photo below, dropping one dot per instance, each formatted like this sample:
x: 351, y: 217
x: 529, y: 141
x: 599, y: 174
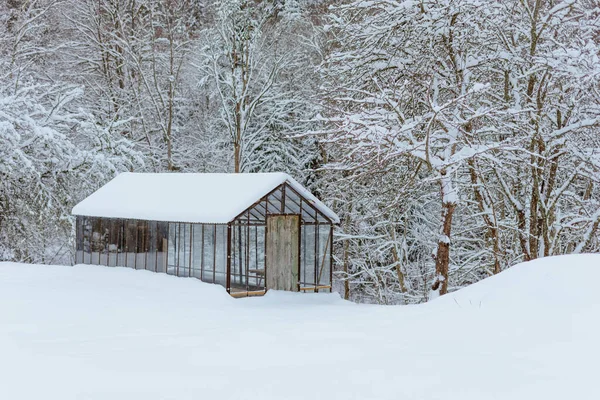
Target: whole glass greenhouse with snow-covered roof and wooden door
x: 246, y: 232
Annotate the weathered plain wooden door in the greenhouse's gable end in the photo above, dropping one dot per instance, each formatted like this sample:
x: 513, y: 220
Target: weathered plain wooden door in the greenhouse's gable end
x: 283, y: 252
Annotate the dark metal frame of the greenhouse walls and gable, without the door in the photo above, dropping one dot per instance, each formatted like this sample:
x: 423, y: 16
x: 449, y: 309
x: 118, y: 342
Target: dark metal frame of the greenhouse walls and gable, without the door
x: 283, y: 199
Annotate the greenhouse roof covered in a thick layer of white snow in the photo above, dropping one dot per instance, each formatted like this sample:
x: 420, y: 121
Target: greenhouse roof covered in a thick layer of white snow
x: 187, y: 197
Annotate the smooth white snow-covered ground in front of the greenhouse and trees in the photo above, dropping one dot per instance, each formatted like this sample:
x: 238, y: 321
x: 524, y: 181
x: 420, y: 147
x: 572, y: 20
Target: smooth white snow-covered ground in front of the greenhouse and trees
x: 90, y: 332
